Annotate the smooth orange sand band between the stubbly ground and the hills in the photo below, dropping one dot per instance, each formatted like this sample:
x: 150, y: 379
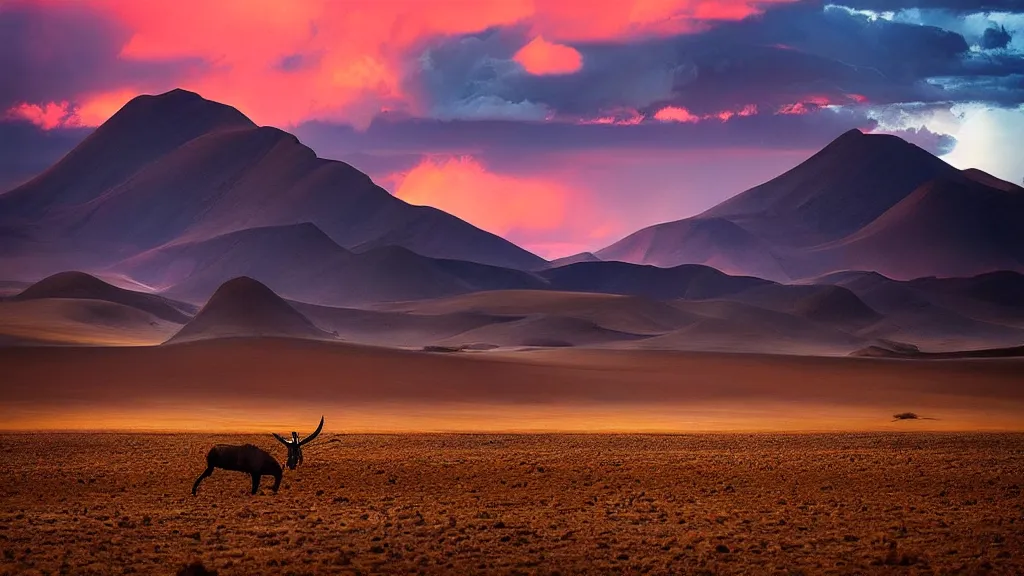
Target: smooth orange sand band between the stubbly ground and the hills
x: 212, y: 384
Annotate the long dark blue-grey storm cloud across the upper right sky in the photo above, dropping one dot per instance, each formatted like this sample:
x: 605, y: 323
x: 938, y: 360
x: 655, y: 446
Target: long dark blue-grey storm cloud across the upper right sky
x: 790, y: 54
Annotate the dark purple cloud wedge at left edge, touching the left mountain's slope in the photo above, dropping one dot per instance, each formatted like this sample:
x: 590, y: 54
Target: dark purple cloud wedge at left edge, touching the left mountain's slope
x: 27, y: 150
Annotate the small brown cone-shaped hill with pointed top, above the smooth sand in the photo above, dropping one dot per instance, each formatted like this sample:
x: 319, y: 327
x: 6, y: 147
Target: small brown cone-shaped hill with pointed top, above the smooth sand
x: 245, y: 308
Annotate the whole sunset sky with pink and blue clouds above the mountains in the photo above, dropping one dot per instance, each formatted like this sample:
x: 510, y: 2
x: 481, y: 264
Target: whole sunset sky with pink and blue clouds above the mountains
x: 563, y: 126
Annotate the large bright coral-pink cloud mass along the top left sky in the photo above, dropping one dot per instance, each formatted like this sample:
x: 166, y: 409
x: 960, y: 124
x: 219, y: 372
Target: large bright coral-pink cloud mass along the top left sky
x: 350, y: 72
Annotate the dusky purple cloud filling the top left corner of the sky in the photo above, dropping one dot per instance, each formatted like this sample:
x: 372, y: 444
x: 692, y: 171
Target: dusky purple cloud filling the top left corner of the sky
x: 64, y: 51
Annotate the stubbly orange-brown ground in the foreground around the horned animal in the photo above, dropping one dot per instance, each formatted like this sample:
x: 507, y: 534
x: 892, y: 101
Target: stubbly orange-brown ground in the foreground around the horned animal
x: 875, y: 504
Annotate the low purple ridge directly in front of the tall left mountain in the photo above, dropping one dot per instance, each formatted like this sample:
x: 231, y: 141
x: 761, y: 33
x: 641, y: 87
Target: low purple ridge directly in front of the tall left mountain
x: 302, y: 263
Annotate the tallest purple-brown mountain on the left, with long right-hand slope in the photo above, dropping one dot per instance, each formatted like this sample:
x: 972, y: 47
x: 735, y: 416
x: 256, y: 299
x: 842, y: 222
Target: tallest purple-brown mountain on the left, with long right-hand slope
x: 178, y: 169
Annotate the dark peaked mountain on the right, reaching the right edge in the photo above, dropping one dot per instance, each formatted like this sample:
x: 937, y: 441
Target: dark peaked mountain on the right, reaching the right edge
x: 868, y: 202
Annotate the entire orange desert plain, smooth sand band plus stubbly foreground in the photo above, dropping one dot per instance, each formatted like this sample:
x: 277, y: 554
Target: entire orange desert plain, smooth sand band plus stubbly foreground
x: 533, y: 462
